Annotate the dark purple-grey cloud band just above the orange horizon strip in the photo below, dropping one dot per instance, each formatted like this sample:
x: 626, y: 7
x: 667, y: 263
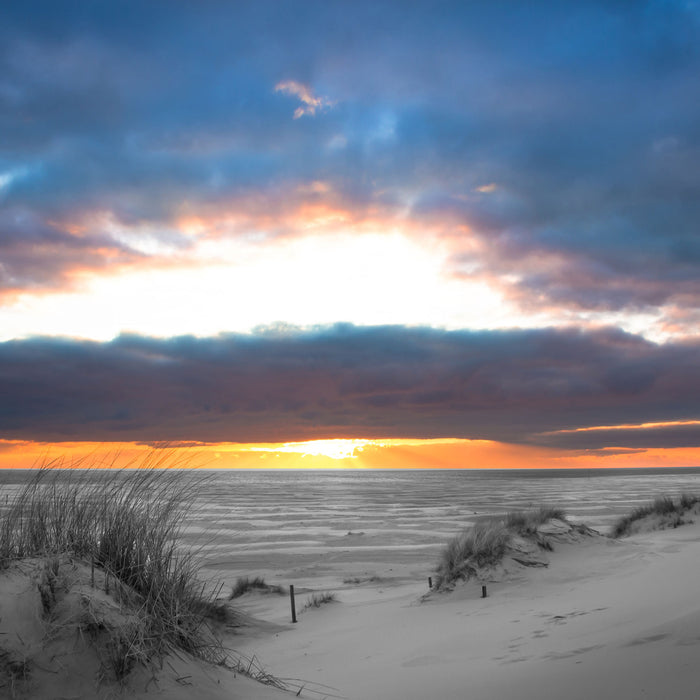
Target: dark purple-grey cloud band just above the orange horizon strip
x: 347, y: 381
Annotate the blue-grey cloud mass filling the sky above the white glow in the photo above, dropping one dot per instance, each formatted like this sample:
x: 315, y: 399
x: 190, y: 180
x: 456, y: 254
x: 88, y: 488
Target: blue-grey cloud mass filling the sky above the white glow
x: 585, y: 114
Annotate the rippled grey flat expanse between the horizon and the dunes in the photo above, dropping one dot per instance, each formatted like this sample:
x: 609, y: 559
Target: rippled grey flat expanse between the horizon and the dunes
x: 305, y: 525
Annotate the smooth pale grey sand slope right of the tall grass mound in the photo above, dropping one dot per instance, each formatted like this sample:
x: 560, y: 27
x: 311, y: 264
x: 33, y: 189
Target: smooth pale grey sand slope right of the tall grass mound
x: 606, y: 620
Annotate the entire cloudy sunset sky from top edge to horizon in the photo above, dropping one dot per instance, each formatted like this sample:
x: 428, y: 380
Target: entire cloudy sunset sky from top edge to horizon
x: 351, y: 234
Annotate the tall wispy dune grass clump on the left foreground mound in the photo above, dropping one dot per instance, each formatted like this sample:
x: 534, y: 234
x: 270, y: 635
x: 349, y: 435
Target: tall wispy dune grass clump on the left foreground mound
x: 127, y: 525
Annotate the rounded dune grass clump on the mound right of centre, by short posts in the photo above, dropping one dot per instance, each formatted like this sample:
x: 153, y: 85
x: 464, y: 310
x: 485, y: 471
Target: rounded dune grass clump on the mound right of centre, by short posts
x: 485, y: 543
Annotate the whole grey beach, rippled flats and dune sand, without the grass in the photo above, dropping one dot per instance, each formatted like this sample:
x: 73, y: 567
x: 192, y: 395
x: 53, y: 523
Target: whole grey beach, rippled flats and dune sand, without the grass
x: 595, y: 617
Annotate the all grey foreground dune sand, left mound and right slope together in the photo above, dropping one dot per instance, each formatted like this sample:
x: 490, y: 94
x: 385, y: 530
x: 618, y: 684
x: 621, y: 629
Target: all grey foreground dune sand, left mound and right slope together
x: 605, y: 619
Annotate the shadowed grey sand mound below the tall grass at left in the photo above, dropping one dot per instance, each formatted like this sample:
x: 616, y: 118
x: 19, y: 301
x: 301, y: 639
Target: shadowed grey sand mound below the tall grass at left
x: 65, y: 654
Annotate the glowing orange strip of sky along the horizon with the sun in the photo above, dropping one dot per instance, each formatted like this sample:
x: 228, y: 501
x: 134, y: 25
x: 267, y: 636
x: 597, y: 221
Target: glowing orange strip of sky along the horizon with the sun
x: 448, y: 453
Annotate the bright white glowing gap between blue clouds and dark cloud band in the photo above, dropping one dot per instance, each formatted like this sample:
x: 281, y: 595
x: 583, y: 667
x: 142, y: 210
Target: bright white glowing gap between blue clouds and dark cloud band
x: 299, y: 280
